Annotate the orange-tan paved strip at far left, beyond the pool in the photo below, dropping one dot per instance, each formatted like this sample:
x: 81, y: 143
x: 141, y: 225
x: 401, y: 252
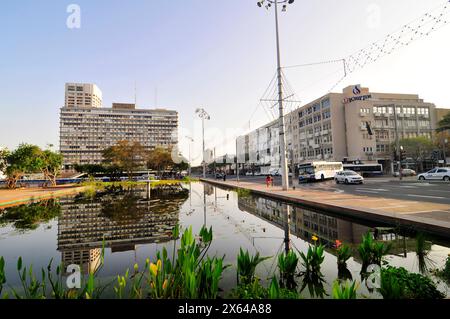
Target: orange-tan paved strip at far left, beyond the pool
x: 15, y: 197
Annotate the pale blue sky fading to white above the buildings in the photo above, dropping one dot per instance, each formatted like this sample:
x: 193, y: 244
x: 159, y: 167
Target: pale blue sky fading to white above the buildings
x: 199, y: 53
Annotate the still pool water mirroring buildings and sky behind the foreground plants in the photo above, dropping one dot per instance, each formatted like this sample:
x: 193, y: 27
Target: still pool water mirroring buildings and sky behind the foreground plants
x: 133, y: 224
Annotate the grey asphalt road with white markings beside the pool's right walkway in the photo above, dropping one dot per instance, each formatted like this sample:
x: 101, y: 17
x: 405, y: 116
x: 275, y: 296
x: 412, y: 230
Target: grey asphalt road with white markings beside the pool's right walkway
x: 409, y: 189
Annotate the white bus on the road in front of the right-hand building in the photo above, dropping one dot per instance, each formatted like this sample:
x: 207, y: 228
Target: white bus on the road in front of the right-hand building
x: 318, y: 171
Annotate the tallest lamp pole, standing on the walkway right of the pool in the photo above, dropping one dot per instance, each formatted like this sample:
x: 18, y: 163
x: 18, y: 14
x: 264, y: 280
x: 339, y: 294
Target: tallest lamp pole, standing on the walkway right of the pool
x: 283, y: 151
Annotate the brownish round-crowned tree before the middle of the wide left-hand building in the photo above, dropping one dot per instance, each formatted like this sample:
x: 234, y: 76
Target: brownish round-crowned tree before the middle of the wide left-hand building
x: 129, y: 156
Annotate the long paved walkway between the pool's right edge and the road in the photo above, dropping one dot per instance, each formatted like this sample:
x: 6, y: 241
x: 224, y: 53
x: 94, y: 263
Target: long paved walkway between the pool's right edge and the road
x: 425, y: 216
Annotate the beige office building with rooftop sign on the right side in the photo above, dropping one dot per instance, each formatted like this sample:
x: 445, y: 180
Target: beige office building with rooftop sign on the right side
x: 335, y: 127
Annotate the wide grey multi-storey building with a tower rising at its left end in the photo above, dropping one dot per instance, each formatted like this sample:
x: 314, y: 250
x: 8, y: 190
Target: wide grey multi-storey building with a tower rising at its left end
x: 87, y: 129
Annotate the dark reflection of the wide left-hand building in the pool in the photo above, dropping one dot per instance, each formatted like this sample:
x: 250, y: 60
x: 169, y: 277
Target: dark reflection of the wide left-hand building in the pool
x: 120, y: 220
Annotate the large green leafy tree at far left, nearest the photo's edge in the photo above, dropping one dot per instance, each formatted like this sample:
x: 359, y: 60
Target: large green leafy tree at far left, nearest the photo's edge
x: 25, y: 159
